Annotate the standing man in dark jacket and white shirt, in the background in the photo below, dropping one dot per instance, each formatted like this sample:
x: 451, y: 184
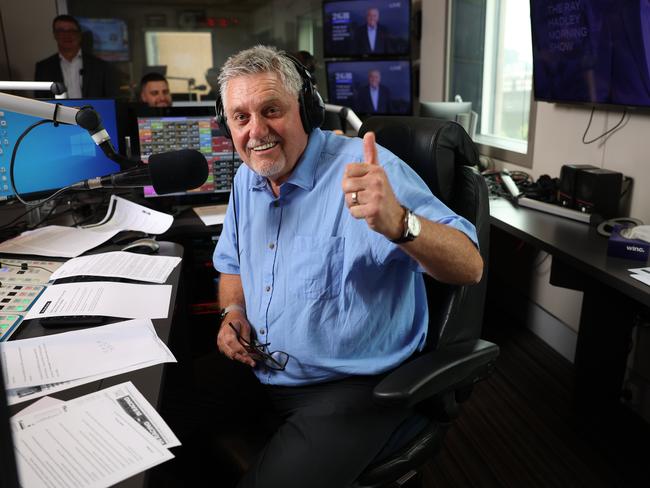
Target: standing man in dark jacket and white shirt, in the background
x: 84, y: 75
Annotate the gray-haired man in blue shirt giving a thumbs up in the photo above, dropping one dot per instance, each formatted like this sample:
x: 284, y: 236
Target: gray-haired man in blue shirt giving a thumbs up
x: 321, y: 259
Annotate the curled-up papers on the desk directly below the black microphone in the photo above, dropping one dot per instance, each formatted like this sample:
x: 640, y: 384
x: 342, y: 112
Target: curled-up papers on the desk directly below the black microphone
x: 69, y: 242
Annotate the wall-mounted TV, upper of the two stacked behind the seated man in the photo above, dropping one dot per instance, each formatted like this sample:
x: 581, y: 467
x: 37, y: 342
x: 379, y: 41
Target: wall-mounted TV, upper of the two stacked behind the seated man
x: 353, y: 28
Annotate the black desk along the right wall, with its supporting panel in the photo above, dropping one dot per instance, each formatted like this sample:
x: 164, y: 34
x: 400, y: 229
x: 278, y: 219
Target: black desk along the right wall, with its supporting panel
x: 612, y: 299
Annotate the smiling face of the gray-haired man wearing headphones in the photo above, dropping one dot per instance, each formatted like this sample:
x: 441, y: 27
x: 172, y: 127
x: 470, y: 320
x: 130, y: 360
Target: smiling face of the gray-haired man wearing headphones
x: 264, y: 120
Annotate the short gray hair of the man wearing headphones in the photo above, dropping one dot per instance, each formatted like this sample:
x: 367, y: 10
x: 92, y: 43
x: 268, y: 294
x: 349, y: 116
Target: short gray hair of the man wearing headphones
x: 260, y: 59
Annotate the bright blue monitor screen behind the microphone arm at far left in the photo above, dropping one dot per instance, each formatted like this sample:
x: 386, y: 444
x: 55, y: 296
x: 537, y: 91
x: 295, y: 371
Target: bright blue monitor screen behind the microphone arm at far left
x: 51, y: 157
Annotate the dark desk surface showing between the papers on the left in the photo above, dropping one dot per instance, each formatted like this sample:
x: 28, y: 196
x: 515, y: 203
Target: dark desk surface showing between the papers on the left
x: 148, y: 381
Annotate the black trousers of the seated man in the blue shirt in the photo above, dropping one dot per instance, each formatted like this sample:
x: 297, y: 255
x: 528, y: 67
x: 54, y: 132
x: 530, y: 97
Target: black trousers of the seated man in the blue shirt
x: 322, y: 435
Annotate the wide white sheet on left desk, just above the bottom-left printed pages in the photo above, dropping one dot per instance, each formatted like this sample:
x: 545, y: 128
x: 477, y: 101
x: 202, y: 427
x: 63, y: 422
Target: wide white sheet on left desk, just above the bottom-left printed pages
x: 76, y: 354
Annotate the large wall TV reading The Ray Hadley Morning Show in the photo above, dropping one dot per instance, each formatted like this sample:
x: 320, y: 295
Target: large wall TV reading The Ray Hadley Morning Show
x: 591, y: 51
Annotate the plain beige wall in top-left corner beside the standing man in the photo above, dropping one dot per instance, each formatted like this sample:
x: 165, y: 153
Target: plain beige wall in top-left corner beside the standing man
x: 28, y: 29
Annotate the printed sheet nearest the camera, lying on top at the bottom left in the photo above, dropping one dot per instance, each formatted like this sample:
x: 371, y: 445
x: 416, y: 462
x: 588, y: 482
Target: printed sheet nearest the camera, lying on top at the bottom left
x: 96, y: 444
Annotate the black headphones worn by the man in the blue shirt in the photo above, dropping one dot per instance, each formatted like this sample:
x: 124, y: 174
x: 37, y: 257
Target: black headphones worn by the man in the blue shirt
x: 312, y: 108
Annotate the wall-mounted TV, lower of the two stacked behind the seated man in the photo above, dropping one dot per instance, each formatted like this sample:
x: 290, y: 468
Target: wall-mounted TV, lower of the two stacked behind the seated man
x: 371, y: 87
